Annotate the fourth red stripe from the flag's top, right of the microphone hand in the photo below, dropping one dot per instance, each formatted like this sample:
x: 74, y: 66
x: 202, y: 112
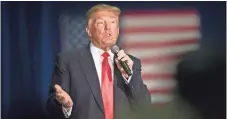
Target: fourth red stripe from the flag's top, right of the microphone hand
x: 161, y: 58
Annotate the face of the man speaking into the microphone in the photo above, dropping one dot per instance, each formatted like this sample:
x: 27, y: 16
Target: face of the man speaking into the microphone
x: 103, y: 29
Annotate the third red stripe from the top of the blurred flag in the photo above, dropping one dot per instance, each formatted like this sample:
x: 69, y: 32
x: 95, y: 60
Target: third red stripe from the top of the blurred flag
x: 176, y: 42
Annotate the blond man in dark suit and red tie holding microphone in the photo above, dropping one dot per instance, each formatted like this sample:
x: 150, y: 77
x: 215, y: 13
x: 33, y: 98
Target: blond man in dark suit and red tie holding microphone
x: 89, y: 83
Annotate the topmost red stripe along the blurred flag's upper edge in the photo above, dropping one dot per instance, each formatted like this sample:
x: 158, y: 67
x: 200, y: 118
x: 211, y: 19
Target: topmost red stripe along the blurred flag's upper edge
x: 137, y: 13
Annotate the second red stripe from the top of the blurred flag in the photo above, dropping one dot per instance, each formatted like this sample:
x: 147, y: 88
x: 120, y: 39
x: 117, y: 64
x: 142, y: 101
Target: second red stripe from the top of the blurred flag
x: 160, y: 29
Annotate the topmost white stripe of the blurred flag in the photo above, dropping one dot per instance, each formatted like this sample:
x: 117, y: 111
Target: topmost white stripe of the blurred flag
x: 160, y: 21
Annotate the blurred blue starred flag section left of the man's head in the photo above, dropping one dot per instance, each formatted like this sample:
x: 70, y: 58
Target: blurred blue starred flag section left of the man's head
x: 72, y: 31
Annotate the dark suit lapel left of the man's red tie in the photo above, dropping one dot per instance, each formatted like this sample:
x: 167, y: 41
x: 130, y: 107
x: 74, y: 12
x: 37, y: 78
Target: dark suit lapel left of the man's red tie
x: 88, y: 66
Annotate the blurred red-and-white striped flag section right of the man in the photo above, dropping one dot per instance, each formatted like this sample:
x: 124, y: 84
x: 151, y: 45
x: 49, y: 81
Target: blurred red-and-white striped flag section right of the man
x: 159, y: 38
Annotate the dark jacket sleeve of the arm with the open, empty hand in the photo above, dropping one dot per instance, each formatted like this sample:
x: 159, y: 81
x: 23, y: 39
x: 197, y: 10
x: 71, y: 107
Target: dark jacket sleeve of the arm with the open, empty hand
x: 61, y: 77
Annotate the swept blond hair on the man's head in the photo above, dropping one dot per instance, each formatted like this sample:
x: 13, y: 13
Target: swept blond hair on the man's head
x: 99, y: 7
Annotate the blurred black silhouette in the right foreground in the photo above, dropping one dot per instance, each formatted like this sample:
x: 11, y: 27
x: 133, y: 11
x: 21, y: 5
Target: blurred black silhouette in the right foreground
x: 201, y: 78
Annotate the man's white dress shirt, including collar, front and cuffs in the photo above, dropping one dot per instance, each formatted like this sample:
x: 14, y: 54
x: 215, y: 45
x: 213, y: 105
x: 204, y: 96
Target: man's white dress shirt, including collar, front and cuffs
x: 97, y: 57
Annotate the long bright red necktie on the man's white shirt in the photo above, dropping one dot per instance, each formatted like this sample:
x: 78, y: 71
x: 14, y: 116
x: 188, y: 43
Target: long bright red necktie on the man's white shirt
x: 107, y: 87
